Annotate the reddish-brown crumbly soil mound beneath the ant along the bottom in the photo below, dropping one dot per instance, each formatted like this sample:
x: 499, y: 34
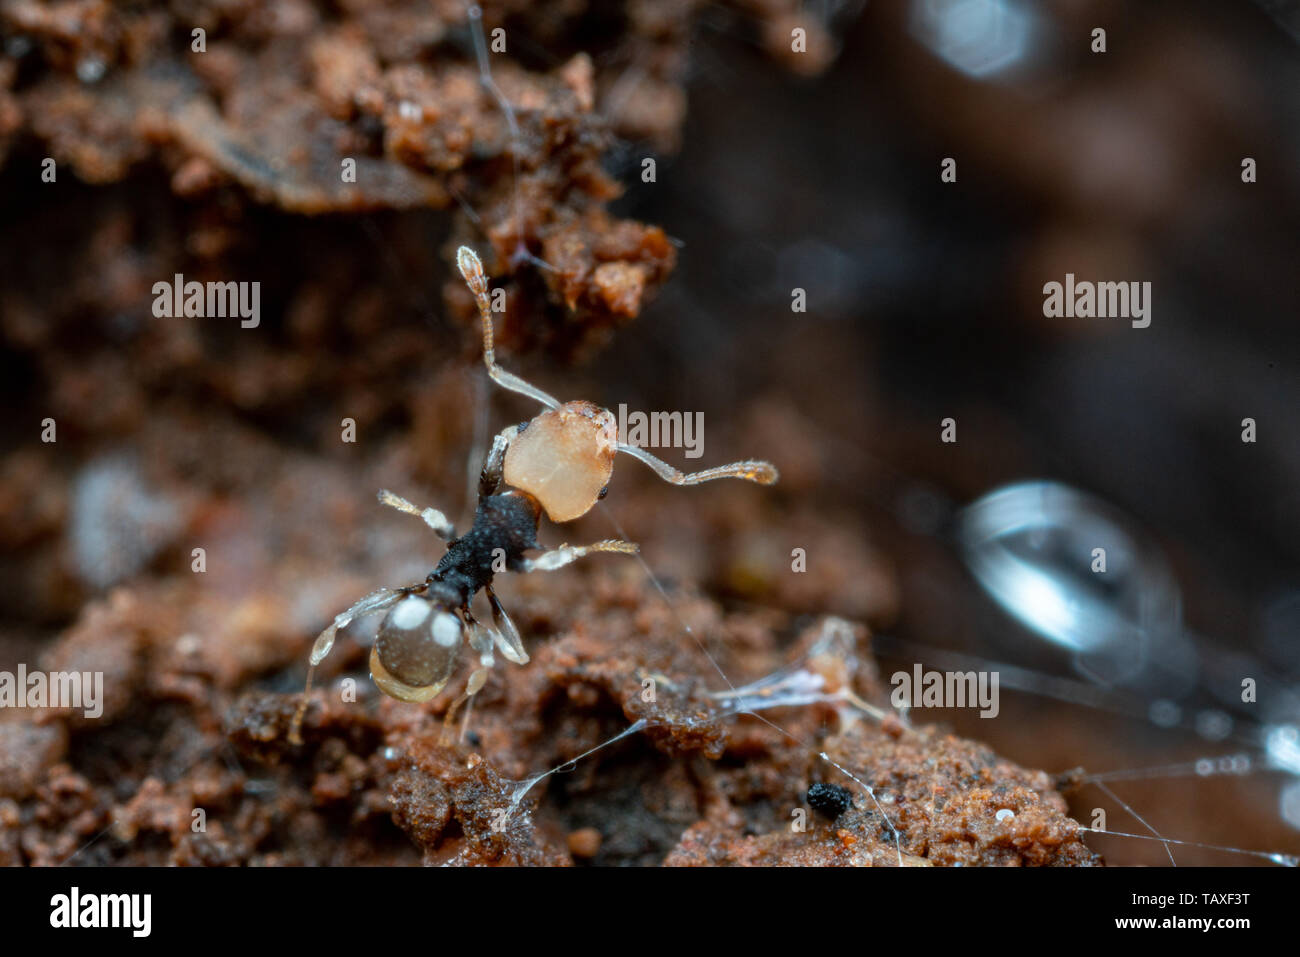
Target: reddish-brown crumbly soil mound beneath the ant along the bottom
x: 184, y: 731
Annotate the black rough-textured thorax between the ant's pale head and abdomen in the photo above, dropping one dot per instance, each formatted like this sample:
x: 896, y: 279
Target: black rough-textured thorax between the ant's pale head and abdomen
x: 505, y: 529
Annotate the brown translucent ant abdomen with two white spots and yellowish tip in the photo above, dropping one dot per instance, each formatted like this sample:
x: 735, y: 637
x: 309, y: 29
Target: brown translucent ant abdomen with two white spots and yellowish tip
x: 417, y: 651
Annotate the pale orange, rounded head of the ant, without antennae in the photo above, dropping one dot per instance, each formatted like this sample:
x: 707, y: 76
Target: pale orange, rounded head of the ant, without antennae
x: 565, y: 458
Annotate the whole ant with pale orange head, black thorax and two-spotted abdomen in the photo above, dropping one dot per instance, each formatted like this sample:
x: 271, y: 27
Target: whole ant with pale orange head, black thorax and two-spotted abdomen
x: 558, y: 464
